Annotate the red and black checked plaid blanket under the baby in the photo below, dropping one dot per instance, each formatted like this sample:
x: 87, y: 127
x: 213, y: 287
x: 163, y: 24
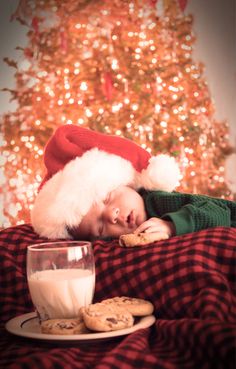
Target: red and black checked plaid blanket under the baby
x: 190, y: 280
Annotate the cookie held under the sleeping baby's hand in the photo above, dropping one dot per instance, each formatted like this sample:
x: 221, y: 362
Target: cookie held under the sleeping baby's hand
x: 141, y: 239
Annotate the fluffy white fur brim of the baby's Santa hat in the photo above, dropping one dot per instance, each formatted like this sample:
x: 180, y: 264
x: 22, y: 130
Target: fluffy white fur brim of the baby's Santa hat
x: 69, y: 194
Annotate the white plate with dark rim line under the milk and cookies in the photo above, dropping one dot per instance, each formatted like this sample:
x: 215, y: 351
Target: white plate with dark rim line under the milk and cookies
x: 27, y: 325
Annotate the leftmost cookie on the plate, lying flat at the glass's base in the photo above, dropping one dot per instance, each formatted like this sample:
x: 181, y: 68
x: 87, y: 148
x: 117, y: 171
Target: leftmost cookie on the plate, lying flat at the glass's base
x: 63, y: 326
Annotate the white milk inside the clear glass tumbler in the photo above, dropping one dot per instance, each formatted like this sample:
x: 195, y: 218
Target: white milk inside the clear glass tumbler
x: 60, y: 293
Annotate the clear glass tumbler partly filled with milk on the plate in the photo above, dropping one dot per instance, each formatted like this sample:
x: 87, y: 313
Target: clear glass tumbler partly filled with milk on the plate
x: 61, y: 278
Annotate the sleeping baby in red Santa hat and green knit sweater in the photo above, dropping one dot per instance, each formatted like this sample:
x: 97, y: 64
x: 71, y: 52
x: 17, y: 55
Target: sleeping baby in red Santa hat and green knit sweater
x: 100, y: 186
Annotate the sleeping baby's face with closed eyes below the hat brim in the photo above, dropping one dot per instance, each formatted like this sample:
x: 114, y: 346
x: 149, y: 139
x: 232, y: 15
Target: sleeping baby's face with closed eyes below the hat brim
x: 120, y: 213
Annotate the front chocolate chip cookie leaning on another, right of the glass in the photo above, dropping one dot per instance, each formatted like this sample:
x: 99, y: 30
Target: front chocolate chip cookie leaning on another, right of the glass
x: 101, y: 317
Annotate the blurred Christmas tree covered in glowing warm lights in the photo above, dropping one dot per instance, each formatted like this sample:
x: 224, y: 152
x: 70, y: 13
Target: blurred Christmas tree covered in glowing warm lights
x: 120, y: 67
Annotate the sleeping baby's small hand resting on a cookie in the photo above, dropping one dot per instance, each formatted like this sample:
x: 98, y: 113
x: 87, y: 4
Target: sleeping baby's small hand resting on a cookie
x: 156, y: 225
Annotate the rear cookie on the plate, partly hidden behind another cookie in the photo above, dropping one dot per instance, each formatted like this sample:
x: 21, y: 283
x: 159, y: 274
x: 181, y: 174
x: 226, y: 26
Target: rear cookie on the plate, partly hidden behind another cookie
x: 137, y: 307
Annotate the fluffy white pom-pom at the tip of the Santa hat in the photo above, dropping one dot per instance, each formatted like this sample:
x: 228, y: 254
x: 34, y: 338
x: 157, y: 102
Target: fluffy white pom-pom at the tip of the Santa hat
x: 162, y: 173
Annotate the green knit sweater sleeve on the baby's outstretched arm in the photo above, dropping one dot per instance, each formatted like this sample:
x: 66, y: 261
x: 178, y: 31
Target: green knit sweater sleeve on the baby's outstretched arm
x: 201, y: 215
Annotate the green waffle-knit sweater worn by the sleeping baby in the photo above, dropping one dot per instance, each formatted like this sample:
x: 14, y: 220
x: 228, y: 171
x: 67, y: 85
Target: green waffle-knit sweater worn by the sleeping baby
x: 189, y: 213
